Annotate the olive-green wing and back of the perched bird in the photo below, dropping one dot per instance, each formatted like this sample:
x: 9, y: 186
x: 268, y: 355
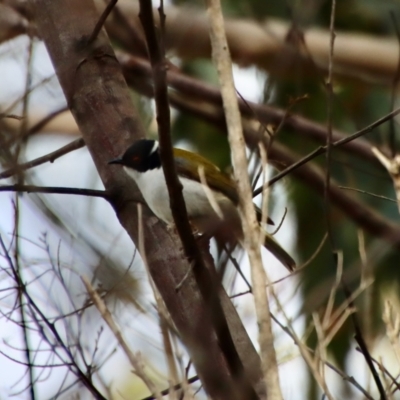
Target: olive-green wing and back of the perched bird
x: 187, y: 164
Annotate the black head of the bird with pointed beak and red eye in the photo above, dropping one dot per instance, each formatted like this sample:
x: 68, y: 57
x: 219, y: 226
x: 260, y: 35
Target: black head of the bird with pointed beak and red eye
x: 142, y: 156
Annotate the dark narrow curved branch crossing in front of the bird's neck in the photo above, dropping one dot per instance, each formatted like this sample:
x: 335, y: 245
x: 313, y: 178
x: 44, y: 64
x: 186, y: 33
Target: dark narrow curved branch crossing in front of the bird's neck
x: 206, y: 282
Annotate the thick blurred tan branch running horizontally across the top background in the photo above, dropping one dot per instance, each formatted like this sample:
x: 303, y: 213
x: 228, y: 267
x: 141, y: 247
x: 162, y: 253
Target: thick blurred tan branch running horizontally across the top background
x: 360, y: 57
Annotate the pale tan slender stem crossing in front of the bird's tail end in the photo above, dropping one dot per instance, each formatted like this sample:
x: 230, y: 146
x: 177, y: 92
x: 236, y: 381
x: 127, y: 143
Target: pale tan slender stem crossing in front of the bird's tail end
x: 251, y: 229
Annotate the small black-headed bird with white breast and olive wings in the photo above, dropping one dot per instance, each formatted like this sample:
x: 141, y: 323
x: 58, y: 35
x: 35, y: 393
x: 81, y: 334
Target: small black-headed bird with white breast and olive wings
x: 210, y: 195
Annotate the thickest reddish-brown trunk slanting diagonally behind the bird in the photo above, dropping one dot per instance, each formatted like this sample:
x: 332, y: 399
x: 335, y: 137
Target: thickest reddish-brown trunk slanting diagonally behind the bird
x: 100, y: 101
